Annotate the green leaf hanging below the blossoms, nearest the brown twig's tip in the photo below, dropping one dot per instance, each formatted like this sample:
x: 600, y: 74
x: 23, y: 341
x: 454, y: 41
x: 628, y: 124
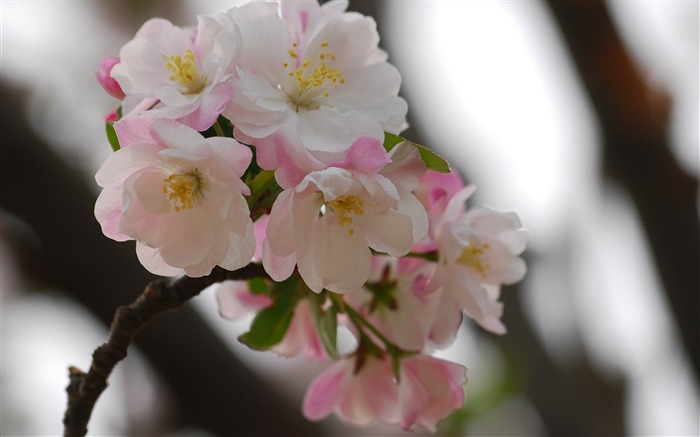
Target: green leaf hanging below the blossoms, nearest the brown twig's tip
x: 270, y: 325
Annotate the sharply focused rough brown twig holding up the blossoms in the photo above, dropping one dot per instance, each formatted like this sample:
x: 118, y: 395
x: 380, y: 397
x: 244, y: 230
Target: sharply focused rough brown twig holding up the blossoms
x: 158, y: 297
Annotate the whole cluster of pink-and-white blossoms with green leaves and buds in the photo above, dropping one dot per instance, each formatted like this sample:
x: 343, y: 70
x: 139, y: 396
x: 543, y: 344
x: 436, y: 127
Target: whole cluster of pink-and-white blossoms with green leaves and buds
x: 268, y: 133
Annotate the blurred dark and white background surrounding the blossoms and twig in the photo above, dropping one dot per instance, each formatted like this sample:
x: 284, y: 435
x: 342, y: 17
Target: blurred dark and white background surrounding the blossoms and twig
x: 582, y: 116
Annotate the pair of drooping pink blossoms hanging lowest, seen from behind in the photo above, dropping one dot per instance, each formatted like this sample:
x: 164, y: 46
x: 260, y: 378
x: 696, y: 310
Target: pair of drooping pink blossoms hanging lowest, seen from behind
x: 428, y: 390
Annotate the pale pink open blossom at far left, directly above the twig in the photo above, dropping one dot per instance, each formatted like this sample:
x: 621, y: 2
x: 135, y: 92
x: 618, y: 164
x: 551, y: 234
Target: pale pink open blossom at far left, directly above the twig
x: 179, y: 196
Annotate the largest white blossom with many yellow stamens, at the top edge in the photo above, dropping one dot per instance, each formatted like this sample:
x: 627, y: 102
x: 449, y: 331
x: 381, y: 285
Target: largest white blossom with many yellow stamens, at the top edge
x: 316, y: 70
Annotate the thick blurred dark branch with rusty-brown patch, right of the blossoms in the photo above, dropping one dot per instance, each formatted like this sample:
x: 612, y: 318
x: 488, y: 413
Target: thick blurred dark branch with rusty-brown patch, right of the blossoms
x: 637, y: 155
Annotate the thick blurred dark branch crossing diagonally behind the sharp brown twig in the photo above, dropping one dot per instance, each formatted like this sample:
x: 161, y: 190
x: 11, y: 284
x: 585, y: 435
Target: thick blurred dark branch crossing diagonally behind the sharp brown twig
x: 54, y: 199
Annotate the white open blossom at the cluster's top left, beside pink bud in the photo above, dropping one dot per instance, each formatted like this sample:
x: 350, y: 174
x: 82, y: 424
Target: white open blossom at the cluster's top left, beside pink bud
x: 179, y: 73
